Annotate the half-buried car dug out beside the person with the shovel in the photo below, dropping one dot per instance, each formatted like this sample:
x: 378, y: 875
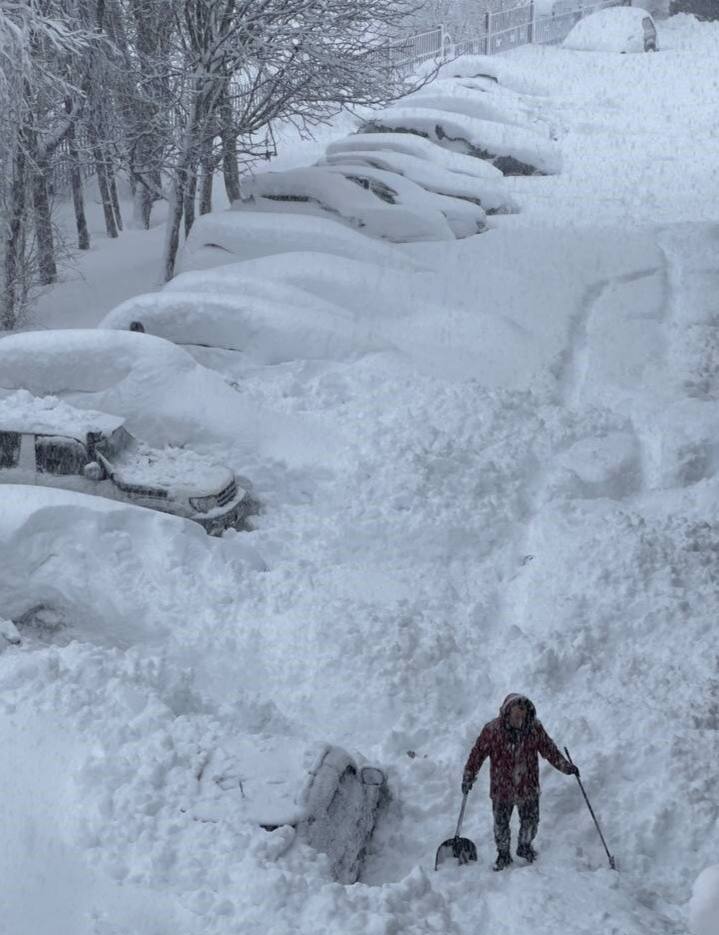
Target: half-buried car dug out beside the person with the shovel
x: 329, y: 798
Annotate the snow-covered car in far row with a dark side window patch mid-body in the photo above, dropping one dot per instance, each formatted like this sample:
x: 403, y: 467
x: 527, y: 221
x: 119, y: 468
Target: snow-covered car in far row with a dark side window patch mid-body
x: 463, y: 217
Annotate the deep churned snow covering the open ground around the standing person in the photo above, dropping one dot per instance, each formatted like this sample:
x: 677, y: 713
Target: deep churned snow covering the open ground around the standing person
x: 519, y: 495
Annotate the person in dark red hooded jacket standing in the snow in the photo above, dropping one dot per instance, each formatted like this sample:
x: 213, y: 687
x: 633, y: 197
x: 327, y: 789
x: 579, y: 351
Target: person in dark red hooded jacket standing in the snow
x: 512, y: 742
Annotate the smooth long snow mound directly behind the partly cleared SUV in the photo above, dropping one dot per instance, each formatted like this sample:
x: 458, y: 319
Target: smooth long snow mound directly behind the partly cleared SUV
x: 163, y: 393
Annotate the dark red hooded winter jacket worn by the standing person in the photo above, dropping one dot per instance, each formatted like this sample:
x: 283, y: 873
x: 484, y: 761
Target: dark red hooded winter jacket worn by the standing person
x: 513, y: 755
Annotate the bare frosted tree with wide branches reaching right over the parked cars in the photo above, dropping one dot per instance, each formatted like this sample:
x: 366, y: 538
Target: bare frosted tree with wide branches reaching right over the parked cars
x: 251, y: 63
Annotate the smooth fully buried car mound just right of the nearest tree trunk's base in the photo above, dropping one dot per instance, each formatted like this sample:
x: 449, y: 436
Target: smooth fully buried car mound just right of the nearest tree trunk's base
x: 226, y: 237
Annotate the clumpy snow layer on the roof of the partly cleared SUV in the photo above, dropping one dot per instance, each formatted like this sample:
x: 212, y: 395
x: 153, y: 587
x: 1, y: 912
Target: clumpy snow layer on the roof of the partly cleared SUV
x: 23, y: 412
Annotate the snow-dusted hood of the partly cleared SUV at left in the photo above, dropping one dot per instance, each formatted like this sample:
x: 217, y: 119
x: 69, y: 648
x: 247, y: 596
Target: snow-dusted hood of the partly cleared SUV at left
x: 171, y: 468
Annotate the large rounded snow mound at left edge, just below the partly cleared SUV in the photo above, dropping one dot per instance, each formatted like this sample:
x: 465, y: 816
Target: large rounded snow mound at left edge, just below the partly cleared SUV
x: 85, y: 567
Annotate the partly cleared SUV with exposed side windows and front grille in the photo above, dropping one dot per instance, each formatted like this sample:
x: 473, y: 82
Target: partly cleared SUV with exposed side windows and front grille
x: 46, y: 442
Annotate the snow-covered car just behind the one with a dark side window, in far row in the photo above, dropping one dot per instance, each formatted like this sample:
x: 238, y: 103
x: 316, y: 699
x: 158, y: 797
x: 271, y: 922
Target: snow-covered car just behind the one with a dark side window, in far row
x: 489, y: 195
